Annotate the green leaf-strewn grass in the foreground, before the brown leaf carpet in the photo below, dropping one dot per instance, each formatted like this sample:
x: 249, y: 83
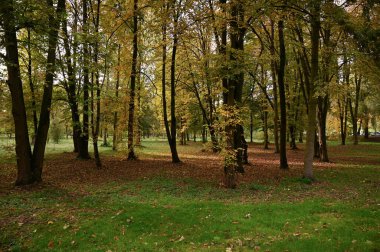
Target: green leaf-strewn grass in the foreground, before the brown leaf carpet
x: 158, y: 215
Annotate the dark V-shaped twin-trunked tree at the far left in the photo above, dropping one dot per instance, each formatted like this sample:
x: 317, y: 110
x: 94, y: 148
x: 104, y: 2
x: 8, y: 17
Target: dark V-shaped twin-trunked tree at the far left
x: 29, y: 164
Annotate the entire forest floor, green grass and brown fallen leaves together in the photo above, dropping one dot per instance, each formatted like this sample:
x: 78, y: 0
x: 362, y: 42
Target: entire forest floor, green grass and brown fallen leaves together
x: 154, y: 205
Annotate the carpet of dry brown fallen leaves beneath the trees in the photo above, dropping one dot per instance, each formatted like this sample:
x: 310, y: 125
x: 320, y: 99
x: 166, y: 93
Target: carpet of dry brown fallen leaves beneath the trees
x: 66, y: 171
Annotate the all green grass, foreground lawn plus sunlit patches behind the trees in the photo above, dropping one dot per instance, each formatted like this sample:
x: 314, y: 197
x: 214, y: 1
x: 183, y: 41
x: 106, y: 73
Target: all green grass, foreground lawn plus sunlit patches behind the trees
x: 338, y: 213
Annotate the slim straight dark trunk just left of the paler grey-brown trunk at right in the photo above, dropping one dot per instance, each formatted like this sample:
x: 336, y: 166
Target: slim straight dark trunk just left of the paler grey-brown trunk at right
x: 281, y: 85
